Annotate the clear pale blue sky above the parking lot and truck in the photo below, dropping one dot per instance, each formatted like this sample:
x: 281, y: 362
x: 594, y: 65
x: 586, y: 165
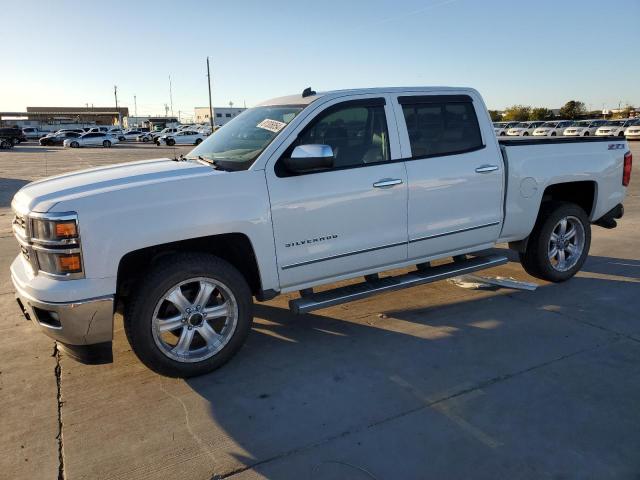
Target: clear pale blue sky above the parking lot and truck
x: 534, y: 52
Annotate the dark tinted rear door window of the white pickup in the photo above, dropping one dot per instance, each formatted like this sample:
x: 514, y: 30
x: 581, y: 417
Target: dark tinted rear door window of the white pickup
x: 441, y: 125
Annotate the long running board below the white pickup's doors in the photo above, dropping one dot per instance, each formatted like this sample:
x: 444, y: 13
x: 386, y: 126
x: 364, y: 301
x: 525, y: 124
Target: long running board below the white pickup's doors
x: 315, y: 301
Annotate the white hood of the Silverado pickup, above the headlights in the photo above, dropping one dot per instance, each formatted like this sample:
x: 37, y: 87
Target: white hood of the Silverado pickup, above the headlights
x: 42, y: 195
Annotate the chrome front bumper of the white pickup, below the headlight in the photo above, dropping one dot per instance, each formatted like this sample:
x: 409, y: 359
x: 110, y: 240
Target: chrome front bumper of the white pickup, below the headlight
x: 83, y: 322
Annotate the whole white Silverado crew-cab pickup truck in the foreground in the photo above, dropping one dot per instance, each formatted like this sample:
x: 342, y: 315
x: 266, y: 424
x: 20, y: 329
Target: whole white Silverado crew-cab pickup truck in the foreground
x: 301, y: 191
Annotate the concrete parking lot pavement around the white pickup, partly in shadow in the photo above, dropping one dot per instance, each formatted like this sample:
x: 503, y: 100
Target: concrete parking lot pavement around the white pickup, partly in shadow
x: 435, y: 381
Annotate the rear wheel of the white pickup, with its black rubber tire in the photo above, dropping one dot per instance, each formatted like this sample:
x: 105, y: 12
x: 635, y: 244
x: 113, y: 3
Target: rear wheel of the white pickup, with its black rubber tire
x: 537, y: 259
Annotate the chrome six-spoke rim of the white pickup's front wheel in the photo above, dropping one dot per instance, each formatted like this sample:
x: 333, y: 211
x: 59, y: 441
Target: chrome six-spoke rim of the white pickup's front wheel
x: 194, y: 319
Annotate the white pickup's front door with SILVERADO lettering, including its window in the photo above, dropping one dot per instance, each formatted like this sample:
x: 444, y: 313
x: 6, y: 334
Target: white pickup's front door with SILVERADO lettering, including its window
x: 344, y: 220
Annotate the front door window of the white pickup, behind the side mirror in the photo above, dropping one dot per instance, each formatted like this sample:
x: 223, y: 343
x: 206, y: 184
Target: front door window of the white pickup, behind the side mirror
x: 356, y: 132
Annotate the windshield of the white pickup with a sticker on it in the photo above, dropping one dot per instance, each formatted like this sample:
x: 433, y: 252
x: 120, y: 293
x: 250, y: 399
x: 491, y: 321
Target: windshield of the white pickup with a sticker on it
x: 237, y: 145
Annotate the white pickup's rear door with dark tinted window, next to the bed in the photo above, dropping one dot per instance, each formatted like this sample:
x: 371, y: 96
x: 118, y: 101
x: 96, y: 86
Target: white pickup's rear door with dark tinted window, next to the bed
x: 455, y: 174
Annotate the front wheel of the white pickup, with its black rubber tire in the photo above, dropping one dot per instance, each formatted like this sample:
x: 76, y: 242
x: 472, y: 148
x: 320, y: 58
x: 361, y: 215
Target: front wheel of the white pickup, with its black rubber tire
x: 149, y: 306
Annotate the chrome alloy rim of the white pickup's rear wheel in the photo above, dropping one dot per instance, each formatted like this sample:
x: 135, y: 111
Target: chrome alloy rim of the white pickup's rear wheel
x: 566, y: 243
